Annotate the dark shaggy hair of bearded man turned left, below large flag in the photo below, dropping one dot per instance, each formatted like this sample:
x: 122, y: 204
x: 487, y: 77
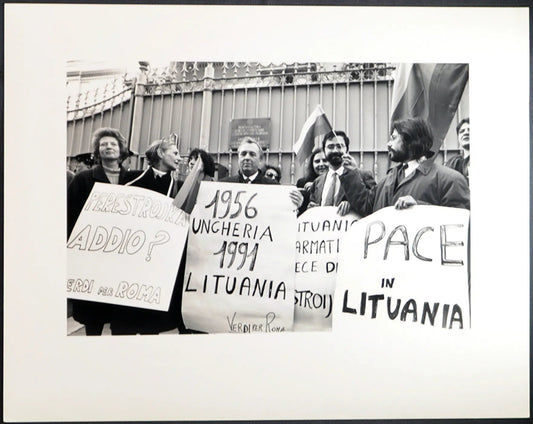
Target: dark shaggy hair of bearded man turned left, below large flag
x: 416, y: 135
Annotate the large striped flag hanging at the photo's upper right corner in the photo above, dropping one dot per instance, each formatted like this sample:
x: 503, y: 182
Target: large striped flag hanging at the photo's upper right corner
x: 431, y: 91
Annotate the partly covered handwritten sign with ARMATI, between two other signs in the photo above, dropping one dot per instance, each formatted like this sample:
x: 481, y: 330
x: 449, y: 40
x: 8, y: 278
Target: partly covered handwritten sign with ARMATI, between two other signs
x: 317, y: 249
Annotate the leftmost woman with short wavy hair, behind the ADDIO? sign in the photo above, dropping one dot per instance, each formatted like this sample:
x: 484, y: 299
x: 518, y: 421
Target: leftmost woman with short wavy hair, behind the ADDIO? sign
x: 110, y: 150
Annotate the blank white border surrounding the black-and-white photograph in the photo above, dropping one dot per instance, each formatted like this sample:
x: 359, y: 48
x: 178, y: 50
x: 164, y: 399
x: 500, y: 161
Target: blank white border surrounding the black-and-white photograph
x: 49, y: 377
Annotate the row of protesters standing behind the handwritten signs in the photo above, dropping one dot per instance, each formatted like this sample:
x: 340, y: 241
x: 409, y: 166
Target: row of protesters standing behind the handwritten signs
x: 332, y: 178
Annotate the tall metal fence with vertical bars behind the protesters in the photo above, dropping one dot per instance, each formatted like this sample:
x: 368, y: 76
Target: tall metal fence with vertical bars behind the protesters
x: 196, y: 101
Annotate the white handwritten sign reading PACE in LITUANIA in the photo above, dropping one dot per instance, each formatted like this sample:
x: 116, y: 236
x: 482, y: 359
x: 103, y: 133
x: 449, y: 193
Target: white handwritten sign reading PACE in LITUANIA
x: 405, y: 268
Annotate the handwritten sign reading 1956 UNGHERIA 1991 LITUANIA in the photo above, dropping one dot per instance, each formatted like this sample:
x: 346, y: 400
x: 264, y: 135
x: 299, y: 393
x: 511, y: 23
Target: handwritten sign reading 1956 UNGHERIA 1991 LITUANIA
x: 239, y: 274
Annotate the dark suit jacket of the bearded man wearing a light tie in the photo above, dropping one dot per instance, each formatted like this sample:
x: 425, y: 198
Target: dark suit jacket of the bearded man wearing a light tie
x: 358, y: 191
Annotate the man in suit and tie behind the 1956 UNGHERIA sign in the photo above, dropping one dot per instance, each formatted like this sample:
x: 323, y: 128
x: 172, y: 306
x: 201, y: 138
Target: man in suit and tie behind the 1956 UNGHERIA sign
x: 250, y: 156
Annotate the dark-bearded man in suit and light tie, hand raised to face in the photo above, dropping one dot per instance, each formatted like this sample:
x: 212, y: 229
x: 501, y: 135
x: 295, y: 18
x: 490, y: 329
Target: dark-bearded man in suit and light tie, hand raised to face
x: 344, y: 185
